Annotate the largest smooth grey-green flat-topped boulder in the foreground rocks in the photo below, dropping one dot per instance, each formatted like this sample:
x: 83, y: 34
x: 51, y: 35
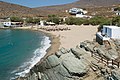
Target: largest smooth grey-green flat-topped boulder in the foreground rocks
x: 75, y: 66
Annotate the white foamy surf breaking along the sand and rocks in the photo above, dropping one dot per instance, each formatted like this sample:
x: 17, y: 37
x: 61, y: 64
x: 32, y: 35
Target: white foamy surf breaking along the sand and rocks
x: 38, y: 54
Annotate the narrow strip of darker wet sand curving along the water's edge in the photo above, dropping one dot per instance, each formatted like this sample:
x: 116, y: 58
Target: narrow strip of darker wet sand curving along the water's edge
x: 54, y: 43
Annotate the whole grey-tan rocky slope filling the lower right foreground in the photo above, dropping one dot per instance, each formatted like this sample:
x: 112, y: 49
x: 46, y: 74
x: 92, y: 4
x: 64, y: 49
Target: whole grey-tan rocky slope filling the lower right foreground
x: 87, y: 61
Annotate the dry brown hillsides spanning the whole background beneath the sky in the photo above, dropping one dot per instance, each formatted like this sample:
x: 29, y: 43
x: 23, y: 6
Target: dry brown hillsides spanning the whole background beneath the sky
x: 98, y: 6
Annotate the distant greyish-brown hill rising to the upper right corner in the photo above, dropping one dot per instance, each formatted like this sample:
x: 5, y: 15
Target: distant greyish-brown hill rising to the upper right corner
x: 83, y: 4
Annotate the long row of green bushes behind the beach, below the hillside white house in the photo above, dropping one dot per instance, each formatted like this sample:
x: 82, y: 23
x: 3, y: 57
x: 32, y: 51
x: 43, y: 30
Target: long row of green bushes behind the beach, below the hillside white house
x: 93, y: 21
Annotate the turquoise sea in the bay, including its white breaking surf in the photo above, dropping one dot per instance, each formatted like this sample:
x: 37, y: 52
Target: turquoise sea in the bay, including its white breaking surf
x: 20, y: 50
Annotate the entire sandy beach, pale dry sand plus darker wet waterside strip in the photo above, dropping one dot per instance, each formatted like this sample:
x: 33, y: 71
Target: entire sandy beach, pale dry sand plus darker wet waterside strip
x: 66, y: 39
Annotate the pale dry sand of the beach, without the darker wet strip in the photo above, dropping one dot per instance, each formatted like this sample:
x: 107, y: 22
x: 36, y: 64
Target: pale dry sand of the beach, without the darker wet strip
x: 76, y: 34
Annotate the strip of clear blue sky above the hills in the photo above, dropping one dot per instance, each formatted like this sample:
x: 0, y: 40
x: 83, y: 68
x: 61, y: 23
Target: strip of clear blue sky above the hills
x: 38, y: 3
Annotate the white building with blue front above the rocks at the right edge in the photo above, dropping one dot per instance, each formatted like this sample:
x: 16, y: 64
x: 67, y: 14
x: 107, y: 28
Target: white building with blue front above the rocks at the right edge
x: 107, y: 33
